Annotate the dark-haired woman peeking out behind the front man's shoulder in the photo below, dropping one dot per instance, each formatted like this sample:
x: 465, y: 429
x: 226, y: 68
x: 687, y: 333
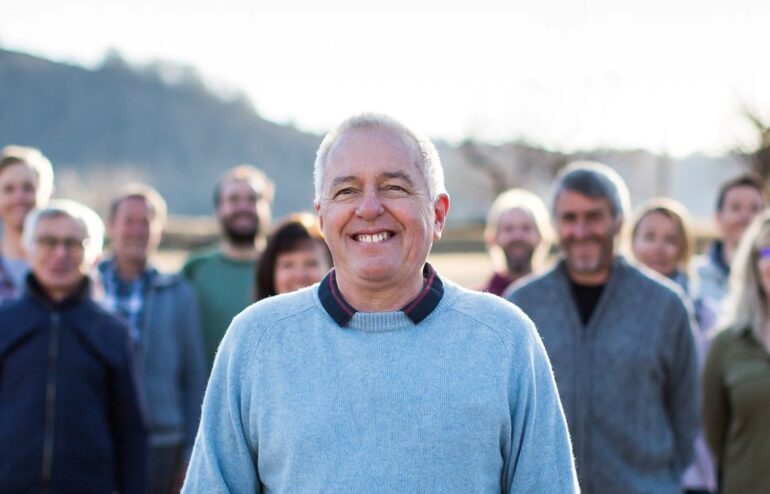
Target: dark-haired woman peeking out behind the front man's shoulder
x: 296, y: 256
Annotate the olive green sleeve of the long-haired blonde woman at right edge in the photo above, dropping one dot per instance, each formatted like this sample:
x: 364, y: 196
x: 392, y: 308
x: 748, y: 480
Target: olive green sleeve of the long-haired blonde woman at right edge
x: 716, y: 408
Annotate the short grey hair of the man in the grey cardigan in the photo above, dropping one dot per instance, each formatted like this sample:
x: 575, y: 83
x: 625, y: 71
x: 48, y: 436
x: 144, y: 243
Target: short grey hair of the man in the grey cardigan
x: 596, y: 181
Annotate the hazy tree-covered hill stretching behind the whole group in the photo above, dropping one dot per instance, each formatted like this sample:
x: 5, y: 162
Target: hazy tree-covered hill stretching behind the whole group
x: 159, y: 123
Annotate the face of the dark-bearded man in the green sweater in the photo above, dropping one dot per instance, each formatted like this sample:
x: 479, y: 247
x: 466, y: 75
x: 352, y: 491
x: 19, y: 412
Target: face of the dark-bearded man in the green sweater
x: 241, y: 211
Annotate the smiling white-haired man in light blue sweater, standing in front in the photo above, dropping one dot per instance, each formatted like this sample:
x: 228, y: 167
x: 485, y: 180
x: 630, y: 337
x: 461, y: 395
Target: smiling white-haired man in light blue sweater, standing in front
x: 384, y: 377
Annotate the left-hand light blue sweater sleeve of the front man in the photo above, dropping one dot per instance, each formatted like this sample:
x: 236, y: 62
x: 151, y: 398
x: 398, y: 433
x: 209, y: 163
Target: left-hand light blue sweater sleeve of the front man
x: 223, y: 459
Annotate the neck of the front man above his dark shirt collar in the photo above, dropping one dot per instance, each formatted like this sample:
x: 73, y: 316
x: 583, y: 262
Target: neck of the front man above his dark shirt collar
x: 374, y: 297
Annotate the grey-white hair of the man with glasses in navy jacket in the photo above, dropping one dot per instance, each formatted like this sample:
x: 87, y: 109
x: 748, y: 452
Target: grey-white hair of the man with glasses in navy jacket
x: 92, y: 224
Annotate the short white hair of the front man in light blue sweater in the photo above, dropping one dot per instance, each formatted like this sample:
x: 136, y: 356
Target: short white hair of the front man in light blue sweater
x: 431, y: 163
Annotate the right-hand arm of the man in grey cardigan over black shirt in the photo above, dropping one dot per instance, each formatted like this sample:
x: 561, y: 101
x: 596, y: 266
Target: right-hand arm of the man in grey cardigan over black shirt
x: 680, y: 393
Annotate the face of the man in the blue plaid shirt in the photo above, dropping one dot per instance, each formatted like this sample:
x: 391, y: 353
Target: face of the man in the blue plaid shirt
x: 134, y: 231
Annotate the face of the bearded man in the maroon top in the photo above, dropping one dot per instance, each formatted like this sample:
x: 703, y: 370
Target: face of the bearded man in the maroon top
x: 518, y: 237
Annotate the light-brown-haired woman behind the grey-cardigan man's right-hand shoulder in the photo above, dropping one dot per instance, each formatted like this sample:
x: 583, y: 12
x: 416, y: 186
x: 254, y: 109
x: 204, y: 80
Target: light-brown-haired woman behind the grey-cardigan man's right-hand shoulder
x: 661, y: 240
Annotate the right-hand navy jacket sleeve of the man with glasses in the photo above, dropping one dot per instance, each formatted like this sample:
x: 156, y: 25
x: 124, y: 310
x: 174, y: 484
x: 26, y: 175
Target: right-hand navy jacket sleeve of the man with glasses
x: 131, y: 439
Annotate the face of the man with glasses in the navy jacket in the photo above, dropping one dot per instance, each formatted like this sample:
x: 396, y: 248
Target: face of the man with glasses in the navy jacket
x: 56, y: 258
